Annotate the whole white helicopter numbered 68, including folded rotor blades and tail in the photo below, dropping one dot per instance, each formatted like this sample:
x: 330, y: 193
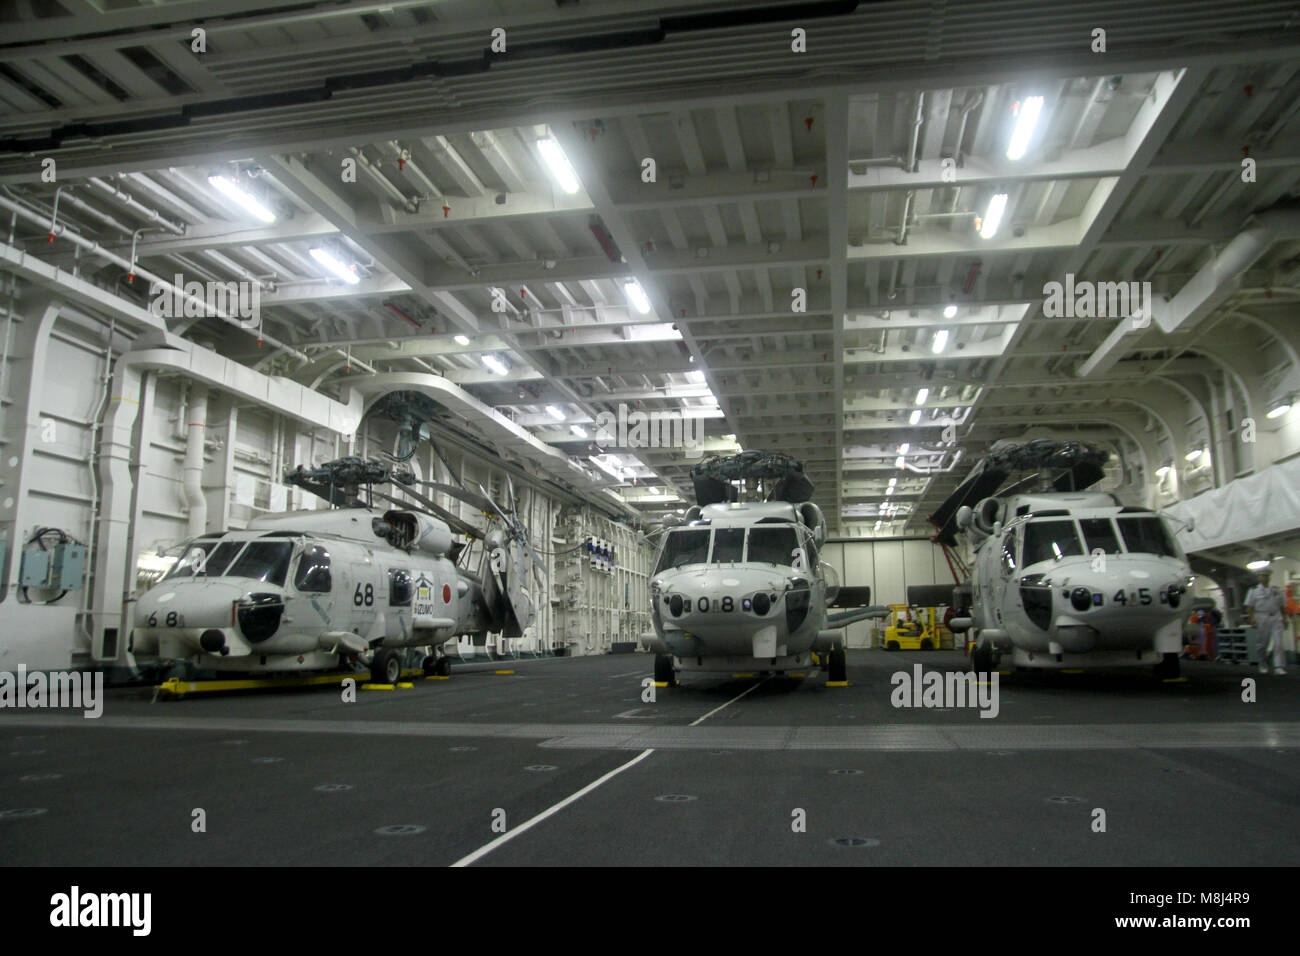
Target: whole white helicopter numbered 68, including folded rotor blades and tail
x: 313, y: 591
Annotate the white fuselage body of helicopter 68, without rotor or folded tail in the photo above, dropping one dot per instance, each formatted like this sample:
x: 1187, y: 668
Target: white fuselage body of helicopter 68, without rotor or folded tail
x: 305, y: 592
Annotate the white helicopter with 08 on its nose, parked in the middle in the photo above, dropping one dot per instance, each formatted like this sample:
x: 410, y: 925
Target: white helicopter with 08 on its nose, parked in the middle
x: 739, y: 585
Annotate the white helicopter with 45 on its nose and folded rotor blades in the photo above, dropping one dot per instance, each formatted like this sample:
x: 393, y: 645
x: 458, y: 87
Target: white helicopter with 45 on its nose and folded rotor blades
x: 1063, y: 577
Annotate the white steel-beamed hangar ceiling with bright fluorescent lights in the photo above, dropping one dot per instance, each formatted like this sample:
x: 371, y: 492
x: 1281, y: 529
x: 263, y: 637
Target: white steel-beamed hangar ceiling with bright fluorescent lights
x: 811, y: 246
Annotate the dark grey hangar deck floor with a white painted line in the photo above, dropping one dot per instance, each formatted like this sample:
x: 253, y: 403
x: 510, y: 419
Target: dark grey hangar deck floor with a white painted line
x: 1188, y: 773
